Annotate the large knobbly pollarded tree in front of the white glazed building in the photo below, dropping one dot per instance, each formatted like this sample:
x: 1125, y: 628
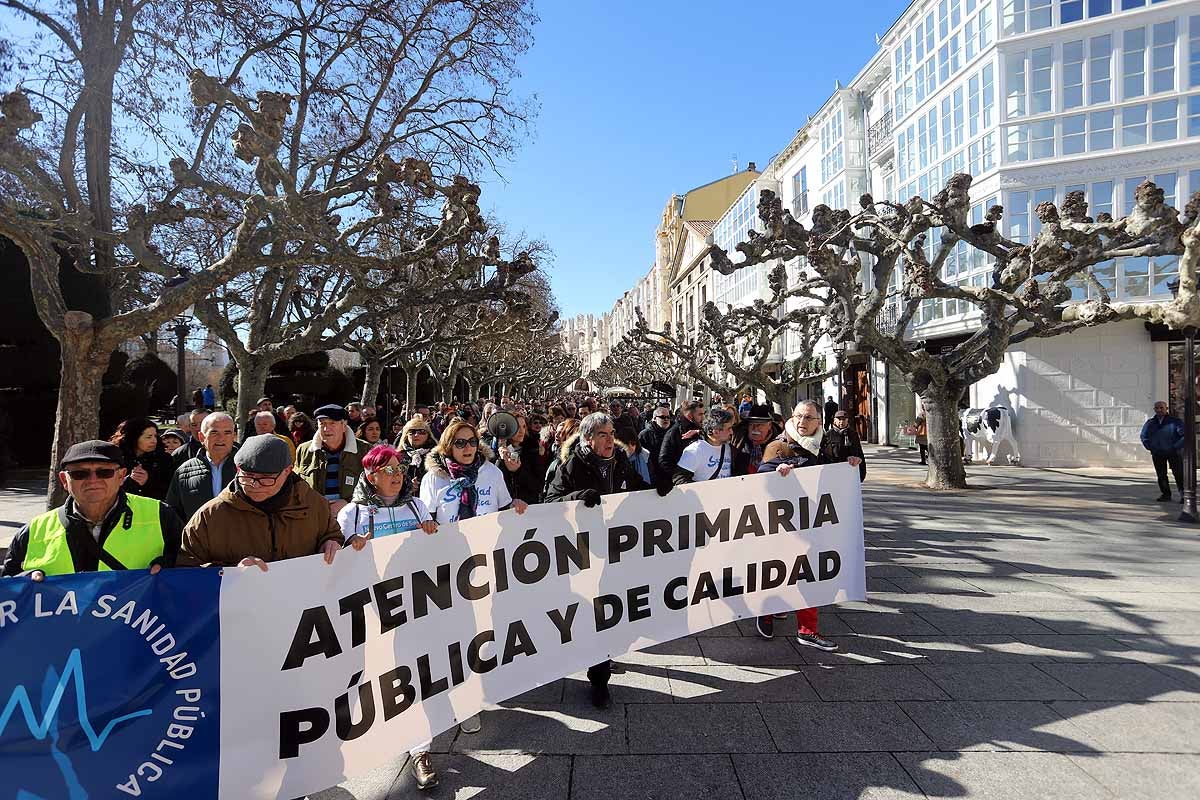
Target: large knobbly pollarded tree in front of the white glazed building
x: 1029, y: 294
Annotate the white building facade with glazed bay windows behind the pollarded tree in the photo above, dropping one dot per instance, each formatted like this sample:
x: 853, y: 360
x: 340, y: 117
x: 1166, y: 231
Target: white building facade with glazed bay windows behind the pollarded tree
x: 1035, y: 99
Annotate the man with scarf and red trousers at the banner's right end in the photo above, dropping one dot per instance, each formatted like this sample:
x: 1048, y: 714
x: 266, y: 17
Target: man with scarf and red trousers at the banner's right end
x: 802, y: 444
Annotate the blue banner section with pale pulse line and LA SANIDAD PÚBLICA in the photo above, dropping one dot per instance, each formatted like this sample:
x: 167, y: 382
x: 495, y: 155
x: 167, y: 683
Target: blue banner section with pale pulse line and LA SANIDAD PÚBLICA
x: 110, y: 687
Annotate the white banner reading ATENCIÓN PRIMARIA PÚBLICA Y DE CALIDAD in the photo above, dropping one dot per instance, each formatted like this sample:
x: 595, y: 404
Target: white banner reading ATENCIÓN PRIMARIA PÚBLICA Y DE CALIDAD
x: 331, y: 671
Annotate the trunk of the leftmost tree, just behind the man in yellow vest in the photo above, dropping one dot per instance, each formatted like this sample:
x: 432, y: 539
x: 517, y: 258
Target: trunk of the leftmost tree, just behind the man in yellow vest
x: 77, y: 418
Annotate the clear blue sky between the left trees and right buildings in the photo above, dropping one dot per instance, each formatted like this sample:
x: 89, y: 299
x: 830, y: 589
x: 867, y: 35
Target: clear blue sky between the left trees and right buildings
x: 645, y: 99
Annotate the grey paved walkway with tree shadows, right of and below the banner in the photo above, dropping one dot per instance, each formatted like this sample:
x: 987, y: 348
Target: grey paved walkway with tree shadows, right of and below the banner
x: 1039, y: 639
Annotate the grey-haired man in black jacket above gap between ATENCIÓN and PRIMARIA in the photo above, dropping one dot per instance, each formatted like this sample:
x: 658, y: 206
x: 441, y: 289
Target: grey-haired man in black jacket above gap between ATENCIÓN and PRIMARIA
x: 595, y: 467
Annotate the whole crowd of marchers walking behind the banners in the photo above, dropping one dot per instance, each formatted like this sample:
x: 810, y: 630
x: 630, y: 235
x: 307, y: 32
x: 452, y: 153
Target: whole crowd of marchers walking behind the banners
x: 286, y: 484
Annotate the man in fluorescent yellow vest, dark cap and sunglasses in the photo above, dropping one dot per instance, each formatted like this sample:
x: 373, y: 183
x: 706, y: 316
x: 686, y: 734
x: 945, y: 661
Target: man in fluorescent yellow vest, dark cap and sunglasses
x: 100, y: 527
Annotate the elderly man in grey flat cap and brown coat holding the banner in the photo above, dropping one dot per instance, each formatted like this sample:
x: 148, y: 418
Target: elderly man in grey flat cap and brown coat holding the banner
x: 266, y: 515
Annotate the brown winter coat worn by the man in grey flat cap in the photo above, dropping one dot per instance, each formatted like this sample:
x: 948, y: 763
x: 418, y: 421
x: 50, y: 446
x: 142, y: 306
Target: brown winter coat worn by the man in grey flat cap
x: 229, y: 530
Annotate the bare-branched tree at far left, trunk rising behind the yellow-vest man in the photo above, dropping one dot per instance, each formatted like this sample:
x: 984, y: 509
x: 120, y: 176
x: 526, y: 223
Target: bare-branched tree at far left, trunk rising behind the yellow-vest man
x: 308, y: 131
